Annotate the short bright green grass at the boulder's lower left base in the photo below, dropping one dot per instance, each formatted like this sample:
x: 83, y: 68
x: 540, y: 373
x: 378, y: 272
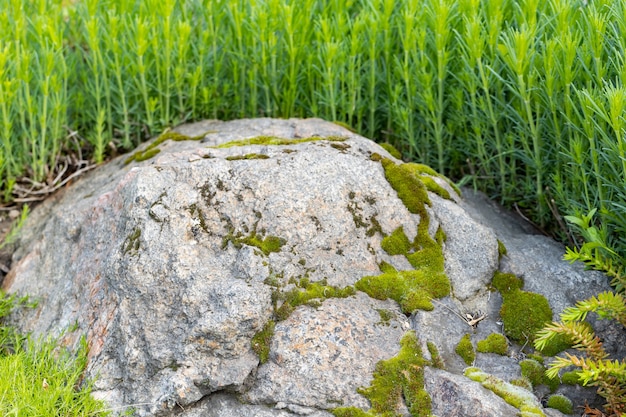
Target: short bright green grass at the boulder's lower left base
x: 39, y: 377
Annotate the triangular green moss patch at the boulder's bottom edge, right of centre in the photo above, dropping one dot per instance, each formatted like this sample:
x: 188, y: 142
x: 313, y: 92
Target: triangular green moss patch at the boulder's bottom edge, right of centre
x: 396, y: 381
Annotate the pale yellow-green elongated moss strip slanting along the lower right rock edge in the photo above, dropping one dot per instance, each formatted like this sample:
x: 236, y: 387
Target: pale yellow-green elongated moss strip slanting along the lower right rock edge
x: 515, y: 396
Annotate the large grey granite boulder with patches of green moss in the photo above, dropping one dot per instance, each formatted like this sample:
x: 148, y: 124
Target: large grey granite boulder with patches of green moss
x: 278, y: 268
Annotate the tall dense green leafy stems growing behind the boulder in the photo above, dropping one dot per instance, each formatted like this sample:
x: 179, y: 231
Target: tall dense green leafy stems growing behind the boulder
x: 522, y: 99
